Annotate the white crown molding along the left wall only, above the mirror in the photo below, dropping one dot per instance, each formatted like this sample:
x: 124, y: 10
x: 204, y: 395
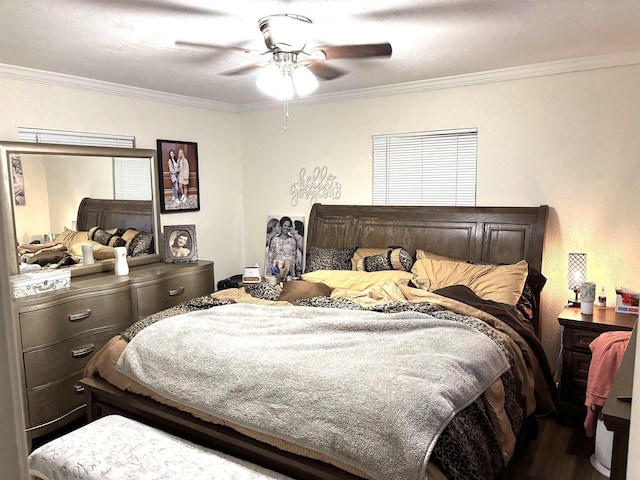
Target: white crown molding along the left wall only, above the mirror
x: 61, y: 79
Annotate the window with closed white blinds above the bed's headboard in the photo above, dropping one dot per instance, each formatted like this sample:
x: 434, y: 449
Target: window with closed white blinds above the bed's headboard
x: 426, y: 168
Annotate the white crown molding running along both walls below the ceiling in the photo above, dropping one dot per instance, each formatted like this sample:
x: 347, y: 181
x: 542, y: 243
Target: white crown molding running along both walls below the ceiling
x: 499, y: 75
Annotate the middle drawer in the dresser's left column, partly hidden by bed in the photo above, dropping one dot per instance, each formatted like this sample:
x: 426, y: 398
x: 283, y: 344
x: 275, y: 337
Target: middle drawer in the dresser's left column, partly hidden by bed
x: 46, y: 364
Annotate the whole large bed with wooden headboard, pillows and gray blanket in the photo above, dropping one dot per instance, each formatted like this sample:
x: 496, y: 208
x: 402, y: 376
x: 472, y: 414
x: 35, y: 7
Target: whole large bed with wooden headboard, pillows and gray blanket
x: 372, y: 283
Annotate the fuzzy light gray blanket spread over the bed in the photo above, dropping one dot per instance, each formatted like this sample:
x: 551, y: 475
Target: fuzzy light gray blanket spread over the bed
x: 372, y: 390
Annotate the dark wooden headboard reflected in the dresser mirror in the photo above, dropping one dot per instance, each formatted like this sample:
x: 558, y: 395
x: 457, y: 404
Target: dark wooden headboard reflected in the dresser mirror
x: 107, y: 214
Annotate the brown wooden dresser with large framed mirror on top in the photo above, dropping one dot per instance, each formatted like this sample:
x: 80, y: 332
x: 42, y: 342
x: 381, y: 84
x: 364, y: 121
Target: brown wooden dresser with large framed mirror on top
x: 56, y: 332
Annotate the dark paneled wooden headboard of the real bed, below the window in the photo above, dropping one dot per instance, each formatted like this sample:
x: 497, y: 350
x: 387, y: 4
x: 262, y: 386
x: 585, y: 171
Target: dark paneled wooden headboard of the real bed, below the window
x: 497, y: 235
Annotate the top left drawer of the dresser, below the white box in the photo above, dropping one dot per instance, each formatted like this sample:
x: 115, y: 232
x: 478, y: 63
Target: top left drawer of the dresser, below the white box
x: 53, y: 324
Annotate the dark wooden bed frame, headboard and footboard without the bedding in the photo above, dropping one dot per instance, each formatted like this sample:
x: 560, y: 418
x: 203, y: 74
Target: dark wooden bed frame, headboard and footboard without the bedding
x: 488, y: 234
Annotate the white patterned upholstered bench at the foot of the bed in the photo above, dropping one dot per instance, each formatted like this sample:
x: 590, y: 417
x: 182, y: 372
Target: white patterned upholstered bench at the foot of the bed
x: 116, y: 447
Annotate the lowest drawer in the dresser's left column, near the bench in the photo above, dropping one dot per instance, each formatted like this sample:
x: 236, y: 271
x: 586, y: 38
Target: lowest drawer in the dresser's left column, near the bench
x: 55, y: 399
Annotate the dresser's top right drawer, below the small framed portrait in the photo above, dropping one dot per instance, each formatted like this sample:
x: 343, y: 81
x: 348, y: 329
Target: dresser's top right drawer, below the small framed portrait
x: 167, y: 293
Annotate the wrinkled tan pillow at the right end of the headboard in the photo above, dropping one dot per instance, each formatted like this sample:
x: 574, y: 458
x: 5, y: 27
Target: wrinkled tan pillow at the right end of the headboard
x: 500, y: 283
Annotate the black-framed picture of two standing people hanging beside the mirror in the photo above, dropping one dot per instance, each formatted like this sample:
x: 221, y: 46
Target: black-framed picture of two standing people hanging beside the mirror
x: 179, y: 191
